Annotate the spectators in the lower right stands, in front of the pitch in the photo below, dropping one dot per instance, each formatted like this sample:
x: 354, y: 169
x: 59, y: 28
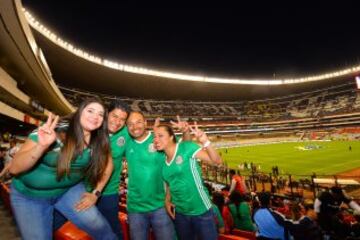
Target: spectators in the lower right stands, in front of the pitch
x: 332, y: 216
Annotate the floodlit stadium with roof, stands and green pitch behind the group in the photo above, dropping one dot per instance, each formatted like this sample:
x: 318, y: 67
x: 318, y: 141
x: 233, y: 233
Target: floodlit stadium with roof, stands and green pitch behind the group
x: 295, y: 137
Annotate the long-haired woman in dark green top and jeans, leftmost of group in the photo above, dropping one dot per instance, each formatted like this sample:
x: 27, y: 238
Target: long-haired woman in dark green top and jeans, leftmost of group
x: 49, y: 174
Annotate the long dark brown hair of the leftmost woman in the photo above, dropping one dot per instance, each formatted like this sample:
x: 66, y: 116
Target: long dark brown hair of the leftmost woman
x: 75, y: 143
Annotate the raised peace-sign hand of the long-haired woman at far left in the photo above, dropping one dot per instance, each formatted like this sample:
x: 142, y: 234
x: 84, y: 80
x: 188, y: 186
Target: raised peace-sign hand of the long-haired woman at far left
x: 46, y: 133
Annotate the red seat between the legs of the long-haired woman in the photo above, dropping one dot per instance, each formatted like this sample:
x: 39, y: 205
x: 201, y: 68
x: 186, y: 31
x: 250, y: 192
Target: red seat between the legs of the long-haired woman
x: 70, y: 232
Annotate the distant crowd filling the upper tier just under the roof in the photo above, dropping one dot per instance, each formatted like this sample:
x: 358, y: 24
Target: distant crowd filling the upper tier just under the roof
x: 334, y: 100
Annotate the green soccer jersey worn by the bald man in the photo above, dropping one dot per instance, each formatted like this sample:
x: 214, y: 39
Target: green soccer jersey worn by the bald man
x: 145, y: 185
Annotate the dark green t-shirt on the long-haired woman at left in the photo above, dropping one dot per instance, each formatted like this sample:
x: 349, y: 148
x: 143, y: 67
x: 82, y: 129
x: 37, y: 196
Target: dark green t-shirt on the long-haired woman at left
x: 40, y: 180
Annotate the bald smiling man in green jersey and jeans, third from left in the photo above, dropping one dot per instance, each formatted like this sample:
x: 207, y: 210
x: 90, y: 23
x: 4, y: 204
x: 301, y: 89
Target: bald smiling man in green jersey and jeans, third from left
x: 146, y: 194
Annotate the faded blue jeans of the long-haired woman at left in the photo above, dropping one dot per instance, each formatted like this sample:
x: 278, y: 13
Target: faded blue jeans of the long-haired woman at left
x: 34, y: 215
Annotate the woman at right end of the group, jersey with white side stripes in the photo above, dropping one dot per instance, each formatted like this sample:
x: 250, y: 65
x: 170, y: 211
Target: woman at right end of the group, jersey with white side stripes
x: 193, y: 218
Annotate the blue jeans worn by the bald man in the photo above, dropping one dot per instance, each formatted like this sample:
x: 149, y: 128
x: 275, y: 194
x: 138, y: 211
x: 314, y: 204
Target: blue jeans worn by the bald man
x: 158, y: 220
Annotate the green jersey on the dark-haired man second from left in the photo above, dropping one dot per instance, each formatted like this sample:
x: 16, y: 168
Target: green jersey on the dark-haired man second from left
x: 117, y: 142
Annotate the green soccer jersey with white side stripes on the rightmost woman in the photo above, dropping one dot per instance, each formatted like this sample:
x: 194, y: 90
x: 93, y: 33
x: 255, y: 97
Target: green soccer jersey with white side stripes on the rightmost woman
x: 183, y: 176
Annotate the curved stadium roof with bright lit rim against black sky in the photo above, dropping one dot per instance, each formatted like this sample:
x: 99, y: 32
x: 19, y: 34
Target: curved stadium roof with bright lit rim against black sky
x: 71, y: 69
